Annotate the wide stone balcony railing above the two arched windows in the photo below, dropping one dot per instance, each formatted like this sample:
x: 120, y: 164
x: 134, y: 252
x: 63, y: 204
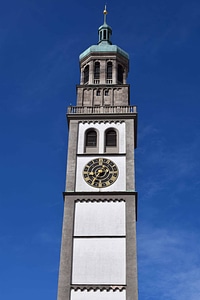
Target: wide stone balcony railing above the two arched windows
x: 101, y: 109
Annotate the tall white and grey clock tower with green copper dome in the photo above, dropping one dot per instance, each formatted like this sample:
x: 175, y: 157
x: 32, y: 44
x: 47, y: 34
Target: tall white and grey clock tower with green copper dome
x: 98, y: 253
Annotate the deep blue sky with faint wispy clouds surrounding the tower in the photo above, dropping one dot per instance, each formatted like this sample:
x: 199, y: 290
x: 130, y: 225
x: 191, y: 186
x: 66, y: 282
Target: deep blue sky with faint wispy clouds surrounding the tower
x: 39, y: 48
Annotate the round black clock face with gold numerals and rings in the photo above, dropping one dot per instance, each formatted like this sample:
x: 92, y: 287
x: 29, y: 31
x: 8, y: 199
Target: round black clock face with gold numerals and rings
x: 100, y: 172
